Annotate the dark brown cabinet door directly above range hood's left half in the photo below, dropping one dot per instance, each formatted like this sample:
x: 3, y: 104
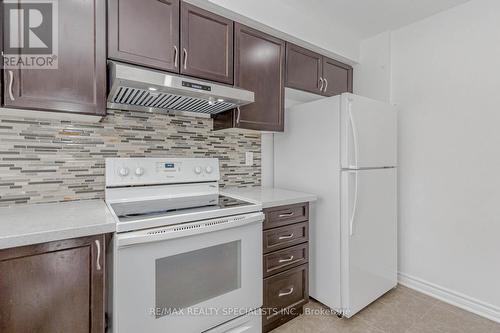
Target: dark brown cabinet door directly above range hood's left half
x: 144, y: 32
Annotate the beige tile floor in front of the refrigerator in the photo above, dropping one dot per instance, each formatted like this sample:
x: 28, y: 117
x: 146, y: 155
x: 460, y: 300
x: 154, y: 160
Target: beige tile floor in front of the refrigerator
x: 401, y: 310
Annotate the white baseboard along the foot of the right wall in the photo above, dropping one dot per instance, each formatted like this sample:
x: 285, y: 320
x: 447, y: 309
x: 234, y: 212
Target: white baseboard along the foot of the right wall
x: 452, y: 297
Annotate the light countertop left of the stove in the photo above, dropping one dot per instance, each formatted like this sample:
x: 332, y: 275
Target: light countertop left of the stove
x: 40, y: 223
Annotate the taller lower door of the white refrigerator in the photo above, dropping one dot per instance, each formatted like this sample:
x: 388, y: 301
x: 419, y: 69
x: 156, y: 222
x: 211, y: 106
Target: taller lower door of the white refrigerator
x: 368, y: 236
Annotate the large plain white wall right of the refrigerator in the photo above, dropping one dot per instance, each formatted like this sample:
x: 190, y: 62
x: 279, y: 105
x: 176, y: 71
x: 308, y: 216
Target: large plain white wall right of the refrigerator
x: 446, y: 80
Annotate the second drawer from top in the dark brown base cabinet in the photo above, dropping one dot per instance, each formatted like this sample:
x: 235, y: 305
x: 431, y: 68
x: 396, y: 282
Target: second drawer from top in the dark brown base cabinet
x: 280, y: 238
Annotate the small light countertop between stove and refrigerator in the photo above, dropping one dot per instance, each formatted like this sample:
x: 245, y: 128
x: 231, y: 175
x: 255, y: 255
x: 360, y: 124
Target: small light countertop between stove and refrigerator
x: 269, y: 196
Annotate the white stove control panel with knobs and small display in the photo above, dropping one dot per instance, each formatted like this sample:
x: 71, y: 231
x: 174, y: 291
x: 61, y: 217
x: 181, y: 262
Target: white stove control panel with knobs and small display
x: 147, y: 171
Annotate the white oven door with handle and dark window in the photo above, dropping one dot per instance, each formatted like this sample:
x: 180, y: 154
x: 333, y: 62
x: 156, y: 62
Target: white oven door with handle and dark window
x: 187, y: 278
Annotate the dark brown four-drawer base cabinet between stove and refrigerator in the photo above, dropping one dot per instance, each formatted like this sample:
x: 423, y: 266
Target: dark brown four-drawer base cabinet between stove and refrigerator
x: 286, y: 269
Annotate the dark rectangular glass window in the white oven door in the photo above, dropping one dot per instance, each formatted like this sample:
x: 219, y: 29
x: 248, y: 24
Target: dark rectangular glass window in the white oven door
x: 190, y: 278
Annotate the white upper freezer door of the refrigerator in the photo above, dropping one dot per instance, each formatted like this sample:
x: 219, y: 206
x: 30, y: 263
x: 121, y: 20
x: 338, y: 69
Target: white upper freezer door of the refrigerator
x: 368, y: 133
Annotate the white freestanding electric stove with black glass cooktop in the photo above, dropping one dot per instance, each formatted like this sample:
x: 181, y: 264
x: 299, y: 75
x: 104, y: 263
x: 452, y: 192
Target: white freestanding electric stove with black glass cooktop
x: 185, y: 258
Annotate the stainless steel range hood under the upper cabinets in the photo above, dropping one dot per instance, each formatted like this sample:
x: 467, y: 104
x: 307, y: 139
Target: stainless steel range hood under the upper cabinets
x: 142, y: 89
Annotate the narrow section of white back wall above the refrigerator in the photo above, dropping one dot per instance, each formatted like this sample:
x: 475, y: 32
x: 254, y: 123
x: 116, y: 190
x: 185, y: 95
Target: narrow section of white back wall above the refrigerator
x: 372, y: 76
